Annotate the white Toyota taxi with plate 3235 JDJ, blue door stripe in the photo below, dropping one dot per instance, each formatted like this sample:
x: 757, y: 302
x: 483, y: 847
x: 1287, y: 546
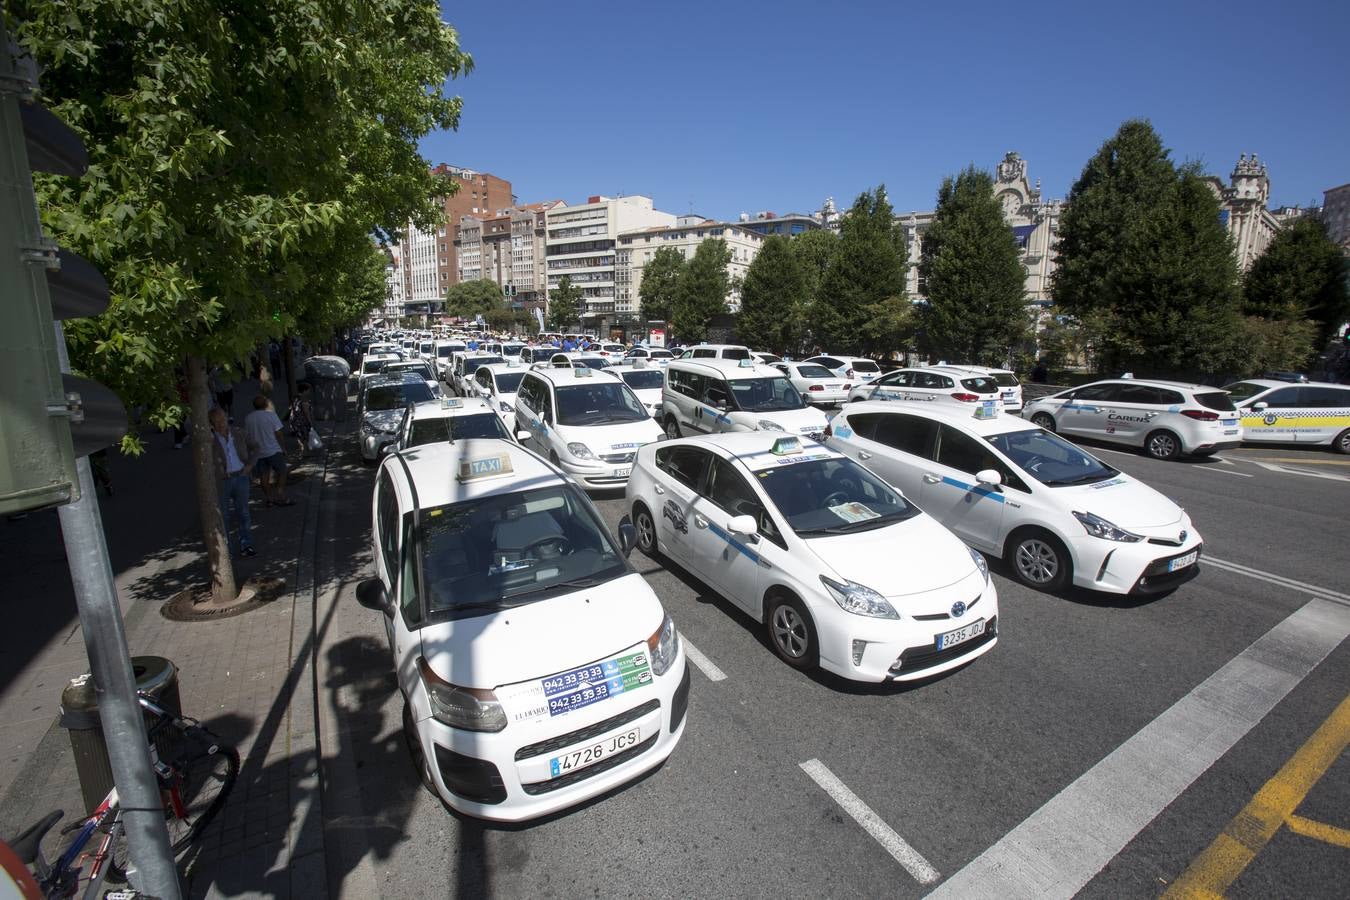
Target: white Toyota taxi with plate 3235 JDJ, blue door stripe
x: 840, y: 569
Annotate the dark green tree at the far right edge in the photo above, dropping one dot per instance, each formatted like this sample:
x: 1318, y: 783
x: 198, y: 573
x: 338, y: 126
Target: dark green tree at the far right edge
x: 1302, y: 276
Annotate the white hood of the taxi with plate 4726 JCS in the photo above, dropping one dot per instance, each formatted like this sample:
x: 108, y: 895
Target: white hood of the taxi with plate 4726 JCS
x: 527, y: 642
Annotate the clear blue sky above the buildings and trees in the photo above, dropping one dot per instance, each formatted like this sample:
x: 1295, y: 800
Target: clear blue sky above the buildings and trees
x: 723, y: 109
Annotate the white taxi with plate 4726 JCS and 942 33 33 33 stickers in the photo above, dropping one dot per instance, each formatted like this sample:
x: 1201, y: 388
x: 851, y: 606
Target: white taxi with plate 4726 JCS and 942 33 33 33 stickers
x: 538, y: 669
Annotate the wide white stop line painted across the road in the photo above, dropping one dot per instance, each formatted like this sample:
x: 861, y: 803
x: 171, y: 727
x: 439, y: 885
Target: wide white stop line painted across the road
x: 1063, y: 845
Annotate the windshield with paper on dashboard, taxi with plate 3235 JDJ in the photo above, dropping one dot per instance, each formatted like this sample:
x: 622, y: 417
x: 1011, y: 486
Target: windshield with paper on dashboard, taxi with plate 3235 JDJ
x: 832, y: 497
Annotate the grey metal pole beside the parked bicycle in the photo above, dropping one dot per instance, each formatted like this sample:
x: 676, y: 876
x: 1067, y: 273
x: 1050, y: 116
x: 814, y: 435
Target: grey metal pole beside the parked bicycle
x: 110, y: 660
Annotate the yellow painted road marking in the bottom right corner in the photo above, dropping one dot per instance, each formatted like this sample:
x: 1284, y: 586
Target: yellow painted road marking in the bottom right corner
x: 1220, y: 866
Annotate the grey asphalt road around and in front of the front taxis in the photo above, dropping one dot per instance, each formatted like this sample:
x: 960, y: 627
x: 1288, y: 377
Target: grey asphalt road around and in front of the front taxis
x: 1100, y: 750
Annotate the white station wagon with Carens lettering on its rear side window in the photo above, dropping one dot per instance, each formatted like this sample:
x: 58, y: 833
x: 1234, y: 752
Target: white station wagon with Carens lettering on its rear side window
x: 1166, y: 419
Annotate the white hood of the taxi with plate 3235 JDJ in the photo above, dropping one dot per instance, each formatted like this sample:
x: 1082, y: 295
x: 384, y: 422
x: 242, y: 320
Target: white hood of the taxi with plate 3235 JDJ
x: 909, y: 558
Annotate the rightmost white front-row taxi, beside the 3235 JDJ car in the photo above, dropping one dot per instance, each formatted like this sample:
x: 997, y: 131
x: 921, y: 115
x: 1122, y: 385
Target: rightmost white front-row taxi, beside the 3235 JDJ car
x: 1054, y: 512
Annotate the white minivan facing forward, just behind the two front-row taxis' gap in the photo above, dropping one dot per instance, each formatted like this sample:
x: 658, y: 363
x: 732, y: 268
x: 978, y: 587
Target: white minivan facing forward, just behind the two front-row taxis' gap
x: 584, y: 422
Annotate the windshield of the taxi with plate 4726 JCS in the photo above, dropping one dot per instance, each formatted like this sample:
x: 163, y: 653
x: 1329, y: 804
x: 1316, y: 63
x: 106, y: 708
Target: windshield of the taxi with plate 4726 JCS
x: 504, y: 551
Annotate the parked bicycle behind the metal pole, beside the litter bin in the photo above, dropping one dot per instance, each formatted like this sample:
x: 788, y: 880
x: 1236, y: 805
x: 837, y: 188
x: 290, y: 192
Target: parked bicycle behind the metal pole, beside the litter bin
x: 194, y: 789
